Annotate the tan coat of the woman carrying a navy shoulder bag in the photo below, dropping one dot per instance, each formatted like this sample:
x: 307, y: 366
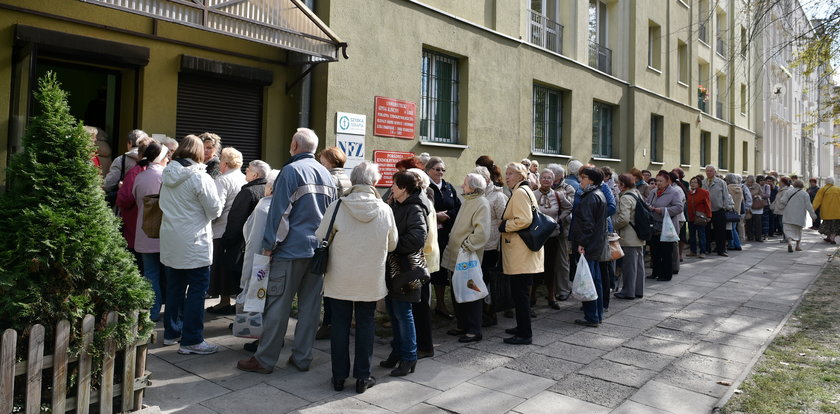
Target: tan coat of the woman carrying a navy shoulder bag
x: 517, y: 258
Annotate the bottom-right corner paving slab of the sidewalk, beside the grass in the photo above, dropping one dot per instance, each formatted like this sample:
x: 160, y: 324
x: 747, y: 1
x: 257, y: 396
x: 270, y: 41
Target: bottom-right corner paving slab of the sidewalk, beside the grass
x: 674, y: 399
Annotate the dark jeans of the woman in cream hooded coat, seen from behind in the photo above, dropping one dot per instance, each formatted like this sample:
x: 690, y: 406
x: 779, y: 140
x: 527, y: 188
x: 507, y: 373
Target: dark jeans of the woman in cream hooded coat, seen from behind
x: 340, y: 337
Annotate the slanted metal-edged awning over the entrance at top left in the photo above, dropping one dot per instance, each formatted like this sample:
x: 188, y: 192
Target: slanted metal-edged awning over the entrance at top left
x: 287, y: 24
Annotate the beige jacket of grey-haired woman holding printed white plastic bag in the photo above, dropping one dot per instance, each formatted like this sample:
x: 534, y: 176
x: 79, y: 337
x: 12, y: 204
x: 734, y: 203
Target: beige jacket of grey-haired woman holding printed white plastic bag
x: 470, y: 230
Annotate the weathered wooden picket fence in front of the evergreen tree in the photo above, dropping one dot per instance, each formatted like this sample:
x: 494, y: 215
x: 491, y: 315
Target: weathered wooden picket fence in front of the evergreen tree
x: 134, y: 376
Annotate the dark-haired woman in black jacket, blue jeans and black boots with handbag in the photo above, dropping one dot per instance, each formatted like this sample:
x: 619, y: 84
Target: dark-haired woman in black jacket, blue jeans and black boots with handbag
x: 410, y: 217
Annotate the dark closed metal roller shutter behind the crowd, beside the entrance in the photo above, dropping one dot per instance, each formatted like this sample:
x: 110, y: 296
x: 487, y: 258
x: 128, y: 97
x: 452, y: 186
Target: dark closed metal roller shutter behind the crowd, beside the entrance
x: 231, y: 109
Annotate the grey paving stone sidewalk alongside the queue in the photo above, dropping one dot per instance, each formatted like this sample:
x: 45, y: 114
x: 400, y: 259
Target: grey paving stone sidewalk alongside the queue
x: 666, y: 353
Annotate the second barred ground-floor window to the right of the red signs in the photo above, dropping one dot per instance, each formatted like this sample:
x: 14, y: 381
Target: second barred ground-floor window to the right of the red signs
x: 548, y: 120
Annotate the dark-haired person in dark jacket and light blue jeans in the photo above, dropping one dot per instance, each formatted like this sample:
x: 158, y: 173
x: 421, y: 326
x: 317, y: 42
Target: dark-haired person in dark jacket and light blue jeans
x: 588, y: 236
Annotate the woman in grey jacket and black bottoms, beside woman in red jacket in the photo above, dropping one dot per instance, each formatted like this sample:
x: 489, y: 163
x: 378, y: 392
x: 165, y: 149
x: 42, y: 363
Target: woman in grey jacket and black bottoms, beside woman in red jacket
x: 666, y: 203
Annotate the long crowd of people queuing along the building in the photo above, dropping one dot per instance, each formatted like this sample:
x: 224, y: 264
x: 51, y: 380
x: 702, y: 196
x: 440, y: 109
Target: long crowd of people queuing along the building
x: 387, y: 251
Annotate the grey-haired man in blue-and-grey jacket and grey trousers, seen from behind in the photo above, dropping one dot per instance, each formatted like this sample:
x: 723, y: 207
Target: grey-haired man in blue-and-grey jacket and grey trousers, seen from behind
x: 301, y: 195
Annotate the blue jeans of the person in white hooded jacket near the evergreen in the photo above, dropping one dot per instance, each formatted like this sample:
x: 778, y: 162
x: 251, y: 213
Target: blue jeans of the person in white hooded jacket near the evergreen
x: 184, y: 315
